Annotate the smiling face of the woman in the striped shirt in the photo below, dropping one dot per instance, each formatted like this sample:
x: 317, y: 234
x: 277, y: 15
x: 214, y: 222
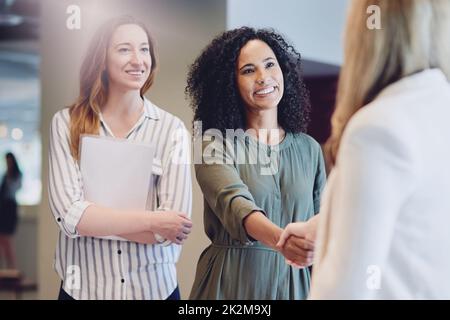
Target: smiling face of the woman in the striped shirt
x: 128, y: 59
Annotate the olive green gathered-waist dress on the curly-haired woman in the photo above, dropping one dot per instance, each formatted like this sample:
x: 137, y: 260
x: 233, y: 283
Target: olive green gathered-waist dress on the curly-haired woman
x: 235, y: 266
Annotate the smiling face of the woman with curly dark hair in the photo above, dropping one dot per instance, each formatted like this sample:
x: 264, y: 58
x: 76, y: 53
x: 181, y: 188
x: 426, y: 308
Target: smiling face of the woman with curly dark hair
x: 259, y: 76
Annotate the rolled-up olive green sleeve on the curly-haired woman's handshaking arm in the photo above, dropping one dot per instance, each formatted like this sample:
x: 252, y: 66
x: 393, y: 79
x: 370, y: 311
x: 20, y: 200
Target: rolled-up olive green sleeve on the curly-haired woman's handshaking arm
x: 227, y: 195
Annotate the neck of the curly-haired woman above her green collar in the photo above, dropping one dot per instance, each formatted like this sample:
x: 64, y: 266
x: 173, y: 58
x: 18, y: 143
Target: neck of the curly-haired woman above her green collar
x: 264, y: 126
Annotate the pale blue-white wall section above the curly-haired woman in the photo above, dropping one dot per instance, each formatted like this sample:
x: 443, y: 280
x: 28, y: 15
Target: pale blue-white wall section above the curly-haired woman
x: 314, y: 26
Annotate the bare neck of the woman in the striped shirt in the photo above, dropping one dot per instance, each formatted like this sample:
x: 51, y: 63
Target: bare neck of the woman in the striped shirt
x: 122, y: 102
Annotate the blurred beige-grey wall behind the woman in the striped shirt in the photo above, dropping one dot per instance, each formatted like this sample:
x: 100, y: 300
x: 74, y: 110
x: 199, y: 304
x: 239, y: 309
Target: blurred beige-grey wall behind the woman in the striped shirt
x: 181, y: 28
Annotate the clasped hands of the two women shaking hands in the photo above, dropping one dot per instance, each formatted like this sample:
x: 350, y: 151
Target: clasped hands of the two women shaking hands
x: 297, y: 243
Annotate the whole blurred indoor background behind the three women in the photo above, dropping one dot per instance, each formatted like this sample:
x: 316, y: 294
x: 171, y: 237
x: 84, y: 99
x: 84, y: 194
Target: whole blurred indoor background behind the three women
x: 39, y: 67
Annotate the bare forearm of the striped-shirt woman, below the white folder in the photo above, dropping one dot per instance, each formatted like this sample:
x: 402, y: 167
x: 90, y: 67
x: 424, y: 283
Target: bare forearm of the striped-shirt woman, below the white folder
x: 98, y: 221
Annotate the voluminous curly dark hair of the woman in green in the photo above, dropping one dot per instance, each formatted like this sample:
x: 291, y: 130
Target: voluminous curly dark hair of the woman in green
x: 212, y: 87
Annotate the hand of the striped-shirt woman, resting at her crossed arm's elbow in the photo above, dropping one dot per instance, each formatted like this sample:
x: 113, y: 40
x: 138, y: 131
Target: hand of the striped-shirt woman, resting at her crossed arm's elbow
x: 171, y: 225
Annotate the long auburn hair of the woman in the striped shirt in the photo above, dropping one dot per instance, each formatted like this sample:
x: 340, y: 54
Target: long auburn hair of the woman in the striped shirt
x: 84, y: 113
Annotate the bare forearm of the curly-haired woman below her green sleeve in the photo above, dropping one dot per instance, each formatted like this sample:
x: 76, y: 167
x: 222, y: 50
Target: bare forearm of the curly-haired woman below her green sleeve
x: 260, y: 228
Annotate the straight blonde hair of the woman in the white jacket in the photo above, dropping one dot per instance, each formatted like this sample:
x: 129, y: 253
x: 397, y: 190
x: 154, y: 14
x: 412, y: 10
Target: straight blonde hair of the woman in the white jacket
x: 414, y: 36
